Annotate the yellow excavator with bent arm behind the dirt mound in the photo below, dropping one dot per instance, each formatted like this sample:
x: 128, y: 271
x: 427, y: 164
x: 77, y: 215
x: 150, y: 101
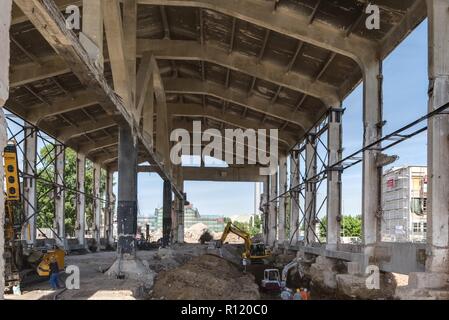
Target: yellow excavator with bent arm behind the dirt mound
x: 254, y: 252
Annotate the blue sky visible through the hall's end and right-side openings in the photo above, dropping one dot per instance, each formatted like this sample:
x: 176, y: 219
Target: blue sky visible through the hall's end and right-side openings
x: 405, y: 99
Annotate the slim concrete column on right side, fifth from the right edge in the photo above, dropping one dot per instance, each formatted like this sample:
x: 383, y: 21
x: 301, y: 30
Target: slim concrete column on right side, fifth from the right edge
x: 294, y: 211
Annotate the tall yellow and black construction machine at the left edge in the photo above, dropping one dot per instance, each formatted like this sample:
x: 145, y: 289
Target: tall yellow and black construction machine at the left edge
x: 19, y: 260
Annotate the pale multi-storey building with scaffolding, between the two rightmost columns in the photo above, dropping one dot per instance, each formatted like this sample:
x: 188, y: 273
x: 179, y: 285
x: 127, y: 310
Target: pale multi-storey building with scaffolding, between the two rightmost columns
x: 404, y: 203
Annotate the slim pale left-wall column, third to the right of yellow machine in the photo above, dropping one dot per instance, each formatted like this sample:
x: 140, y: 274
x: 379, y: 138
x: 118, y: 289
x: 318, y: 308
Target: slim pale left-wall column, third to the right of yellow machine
x: 80, y: 230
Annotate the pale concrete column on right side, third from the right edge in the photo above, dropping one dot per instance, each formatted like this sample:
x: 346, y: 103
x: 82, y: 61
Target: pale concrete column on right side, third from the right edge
x: 334, y: 145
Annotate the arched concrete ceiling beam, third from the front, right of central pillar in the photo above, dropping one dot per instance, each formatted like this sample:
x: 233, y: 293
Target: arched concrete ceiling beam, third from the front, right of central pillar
x: 278, y: 111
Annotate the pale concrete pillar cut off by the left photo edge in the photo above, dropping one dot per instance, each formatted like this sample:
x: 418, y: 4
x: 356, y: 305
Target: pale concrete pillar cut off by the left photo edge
x: 5, y: 22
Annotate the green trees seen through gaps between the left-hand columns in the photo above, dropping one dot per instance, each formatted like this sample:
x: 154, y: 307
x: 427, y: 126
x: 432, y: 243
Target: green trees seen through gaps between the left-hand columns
x: 46, y: 190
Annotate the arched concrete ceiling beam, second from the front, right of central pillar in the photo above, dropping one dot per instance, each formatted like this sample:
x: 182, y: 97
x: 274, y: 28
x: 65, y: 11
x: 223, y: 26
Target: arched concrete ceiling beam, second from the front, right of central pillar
x: 190, y: 50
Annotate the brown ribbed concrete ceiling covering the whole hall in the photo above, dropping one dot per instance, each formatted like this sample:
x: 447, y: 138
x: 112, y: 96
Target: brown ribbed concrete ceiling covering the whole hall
x: 224, y: 60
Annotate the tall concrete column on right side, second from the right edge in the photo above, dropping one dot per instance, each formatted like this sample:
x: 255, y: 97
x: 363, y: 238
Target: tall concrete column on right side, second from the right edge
x: 372, y: 174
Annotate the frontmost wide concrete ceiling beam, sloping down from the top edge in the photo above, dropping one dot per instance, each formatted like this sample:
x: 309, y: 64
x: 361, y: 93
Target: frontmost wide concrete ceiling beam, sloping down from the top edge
x: 285, y: 21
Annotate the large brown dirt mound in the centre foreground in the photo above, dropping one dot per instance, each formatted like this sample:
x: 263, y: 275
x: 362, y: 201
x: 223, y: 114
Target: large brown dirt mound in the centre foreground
x: 206, y: 278
